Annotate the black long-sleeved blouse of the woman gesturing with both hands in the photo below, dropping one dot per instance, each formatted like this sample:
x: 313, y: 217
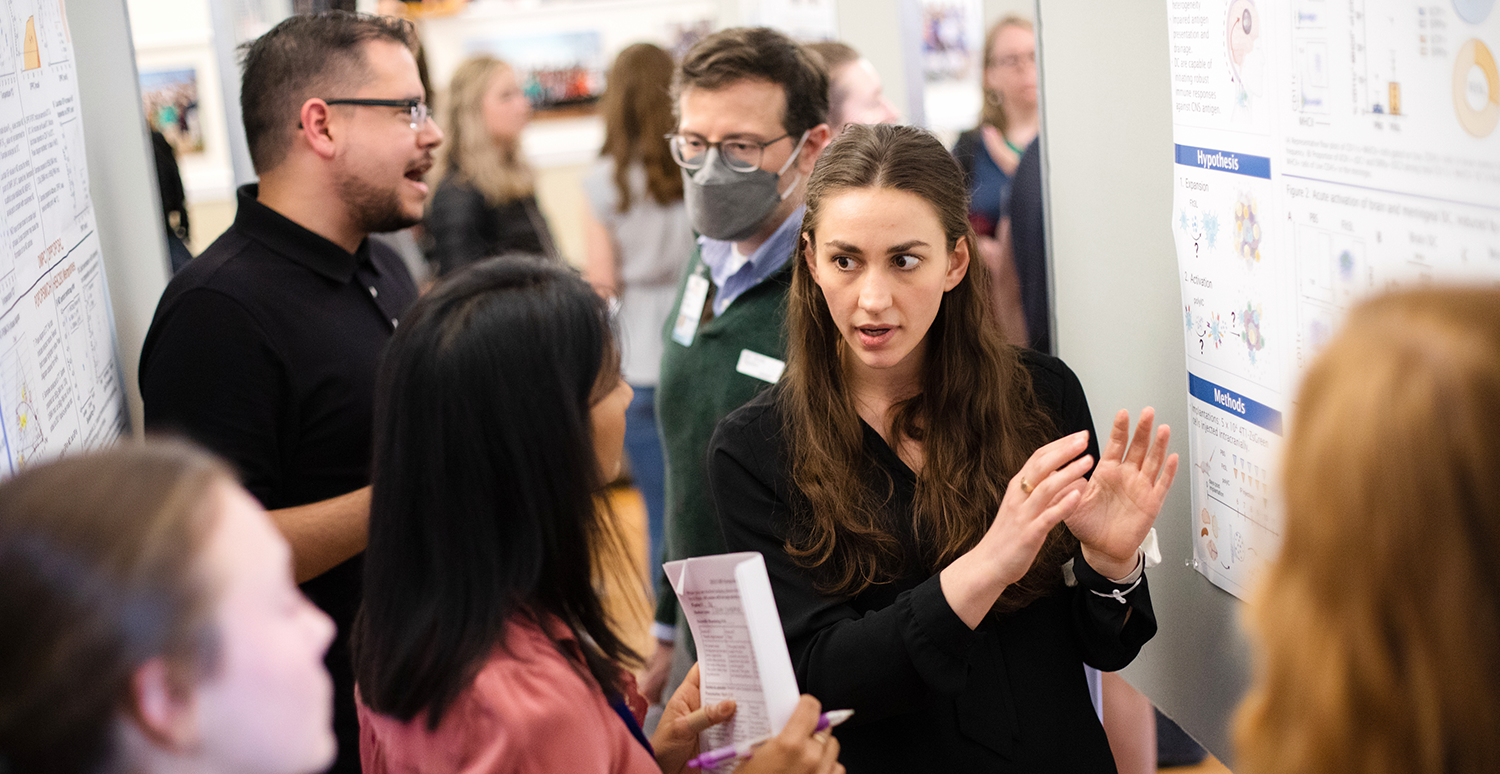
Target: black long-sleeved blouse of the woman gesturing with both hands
x: 931, y: 694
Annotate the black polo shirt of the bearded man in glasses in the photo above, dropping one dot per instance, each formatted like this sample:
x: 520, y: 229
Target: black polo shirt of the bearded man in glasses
x: 265, y: 350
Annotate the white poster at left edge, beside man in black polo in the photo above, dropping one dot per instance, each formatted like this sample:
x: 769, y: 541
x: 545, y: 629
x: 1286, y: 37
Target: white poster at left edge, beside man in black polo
x: 61, y: 382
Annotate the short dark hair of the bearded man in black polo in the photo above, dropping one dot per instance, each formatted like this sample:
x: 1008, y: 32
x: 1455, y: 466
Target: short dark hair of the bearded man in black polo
x: 301, y: 59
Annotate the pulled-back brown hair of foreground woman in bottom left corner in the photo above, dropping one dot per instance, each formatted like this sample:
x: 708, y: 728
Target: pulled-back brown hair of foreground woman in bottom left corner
x: 100, y: 574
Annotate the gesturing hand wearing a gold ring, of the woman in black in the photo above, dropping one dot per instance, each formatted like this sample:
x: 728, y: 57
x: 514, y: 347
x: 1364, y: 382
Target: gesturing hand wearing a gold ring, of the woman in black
x: 1045, y: 493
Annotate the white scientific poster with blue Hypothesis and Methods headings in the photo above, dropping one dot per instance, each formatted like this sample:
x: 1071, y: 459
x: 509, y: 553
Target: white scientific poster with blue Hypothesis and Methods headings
x: 1325, y: 151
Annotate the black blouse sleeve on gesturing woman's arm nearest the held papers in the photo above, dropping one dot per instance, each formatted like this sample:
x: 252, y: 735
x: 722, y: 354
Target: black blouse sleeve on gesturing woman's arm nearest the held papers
x: 881, y: 662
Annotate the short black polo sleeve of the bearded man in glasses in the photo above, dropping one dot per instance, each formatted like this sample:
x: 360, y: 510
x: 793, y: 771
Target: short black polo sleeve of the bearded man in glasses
x: 212, y: 376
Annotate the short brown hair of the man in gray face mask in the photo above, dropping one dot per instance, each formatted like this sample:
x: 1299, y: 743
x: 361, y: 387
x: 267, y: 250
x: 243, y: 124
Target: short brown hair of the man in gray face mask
x: 761, y: 55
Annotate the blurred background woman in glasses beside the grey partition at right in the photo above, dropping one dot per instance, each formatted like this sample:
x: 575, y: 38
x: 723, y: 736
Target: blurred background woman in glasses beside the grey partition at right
x: 1009, y: 122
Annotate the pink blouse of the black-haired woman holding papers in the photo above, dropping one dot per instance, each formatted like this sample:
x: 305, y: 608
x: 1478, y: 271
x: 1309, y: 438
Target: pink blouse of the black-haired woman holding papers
x: 530, y: 710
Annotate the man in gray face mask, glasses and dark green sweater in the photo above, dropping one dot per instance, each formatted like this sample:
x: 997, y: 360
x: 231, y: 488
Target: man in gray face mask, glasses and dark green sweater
x: 752, y: 121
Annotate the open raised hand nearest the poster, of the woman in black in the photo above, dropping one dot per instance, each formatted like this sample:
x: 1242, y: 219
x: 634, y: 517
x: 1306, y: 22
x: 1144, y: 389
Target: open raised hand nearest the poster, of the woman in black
x: 1124, y: 496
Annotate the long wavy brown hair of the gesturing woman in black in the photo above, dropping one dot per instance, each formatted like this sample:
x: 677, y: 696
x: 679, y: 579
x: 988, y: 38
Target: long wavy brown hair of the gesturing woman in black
x: 977, y: 416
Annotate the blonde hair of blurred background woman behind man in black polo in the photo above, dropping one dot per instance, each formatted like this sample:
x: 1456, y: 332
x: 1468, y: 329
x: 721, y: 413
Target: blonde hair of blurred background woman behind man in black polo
x: 494, y: 169
